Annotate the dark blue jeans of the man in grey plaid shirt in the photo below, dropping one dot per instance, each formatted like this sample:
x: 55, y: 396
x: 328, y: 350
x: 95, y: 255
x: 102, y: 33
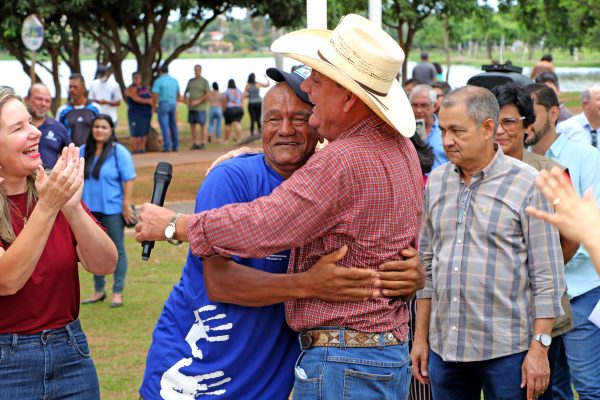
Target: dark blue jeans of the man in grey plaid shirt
x: 500, y: 378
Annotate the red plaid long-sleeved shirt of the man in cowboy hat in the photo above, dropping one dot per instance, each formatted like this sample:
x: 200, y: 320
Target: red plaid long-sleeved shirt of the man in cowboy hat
x: 365, y: 190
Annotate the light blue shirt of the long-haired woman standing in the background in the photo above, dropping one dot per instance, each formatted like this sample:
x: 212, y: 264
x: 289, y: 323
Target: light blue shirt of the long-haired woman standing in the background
x: 105, y: 194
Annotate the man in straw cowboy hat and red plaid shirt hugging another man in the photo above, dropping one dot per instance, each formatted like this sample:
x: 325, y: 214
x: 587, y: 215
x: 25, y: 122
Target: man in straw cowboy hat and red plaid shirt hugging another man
x: 362, y: 190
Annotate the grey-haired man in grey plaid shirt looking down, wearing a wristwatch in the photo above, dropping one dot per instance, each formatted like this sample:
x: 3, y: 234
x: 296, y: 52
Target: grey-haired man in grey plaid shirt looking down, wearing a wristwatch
x: 488, y: 265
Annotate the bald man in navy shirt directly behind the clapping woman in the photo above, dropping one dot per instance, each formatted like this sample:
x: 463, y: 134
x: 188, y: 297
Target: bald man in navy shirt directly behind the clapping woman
x: 54, y: 134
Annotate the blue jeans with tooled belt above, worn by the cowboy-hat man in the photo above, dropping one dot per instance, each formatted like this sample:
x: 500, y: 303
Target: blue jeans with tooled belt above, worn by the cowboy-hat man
x: 366, y: 373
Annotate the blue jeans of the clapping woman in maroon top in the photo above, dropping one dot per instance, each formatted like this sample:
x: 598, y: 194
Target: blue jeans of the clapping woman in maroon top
x: 53, y: 364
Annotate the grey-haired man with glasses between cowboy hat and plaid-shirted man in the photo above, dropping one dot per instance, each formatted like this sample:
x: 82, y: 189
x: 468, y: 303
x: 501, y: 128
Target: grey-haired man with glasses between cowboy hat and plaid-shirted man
x: 422, y: 100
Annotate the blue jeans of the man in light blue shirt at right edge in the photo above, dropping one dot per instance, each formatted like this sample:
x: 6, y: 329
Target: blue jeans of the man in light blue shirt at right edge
x: 582, y: 346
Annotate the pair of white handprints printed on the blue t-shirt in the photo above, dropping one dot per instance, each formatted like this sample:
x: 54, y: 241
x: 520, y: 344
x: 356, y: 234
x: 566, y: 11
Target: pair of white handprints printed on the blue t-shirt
x: 174, y: 384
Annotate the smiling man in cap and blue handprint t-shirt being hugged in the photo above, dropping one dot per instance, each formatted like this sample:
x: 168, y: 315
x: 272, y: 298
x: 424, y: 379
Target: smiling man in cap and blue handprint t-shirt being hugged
x: 222, y: 331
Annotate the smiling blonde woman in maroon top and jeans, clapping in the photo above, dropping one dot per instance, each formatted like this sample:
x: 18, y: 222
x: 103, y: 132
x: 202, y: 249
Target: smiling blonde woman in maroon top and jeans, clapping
x: 45, y: 230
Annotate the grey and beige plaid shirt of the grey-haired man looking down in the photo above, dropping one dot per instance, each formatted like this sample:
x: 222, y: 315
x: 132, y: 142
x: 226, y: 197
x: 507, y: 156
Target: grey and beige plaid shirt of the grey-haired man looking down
x: 487, y: 263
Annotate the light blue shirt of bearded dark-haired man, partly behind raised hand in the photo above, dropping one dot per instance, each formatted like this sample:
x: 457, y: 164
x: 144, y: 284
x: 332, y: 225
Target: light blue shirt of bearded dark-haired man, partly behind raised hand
x: 583, y: 163
